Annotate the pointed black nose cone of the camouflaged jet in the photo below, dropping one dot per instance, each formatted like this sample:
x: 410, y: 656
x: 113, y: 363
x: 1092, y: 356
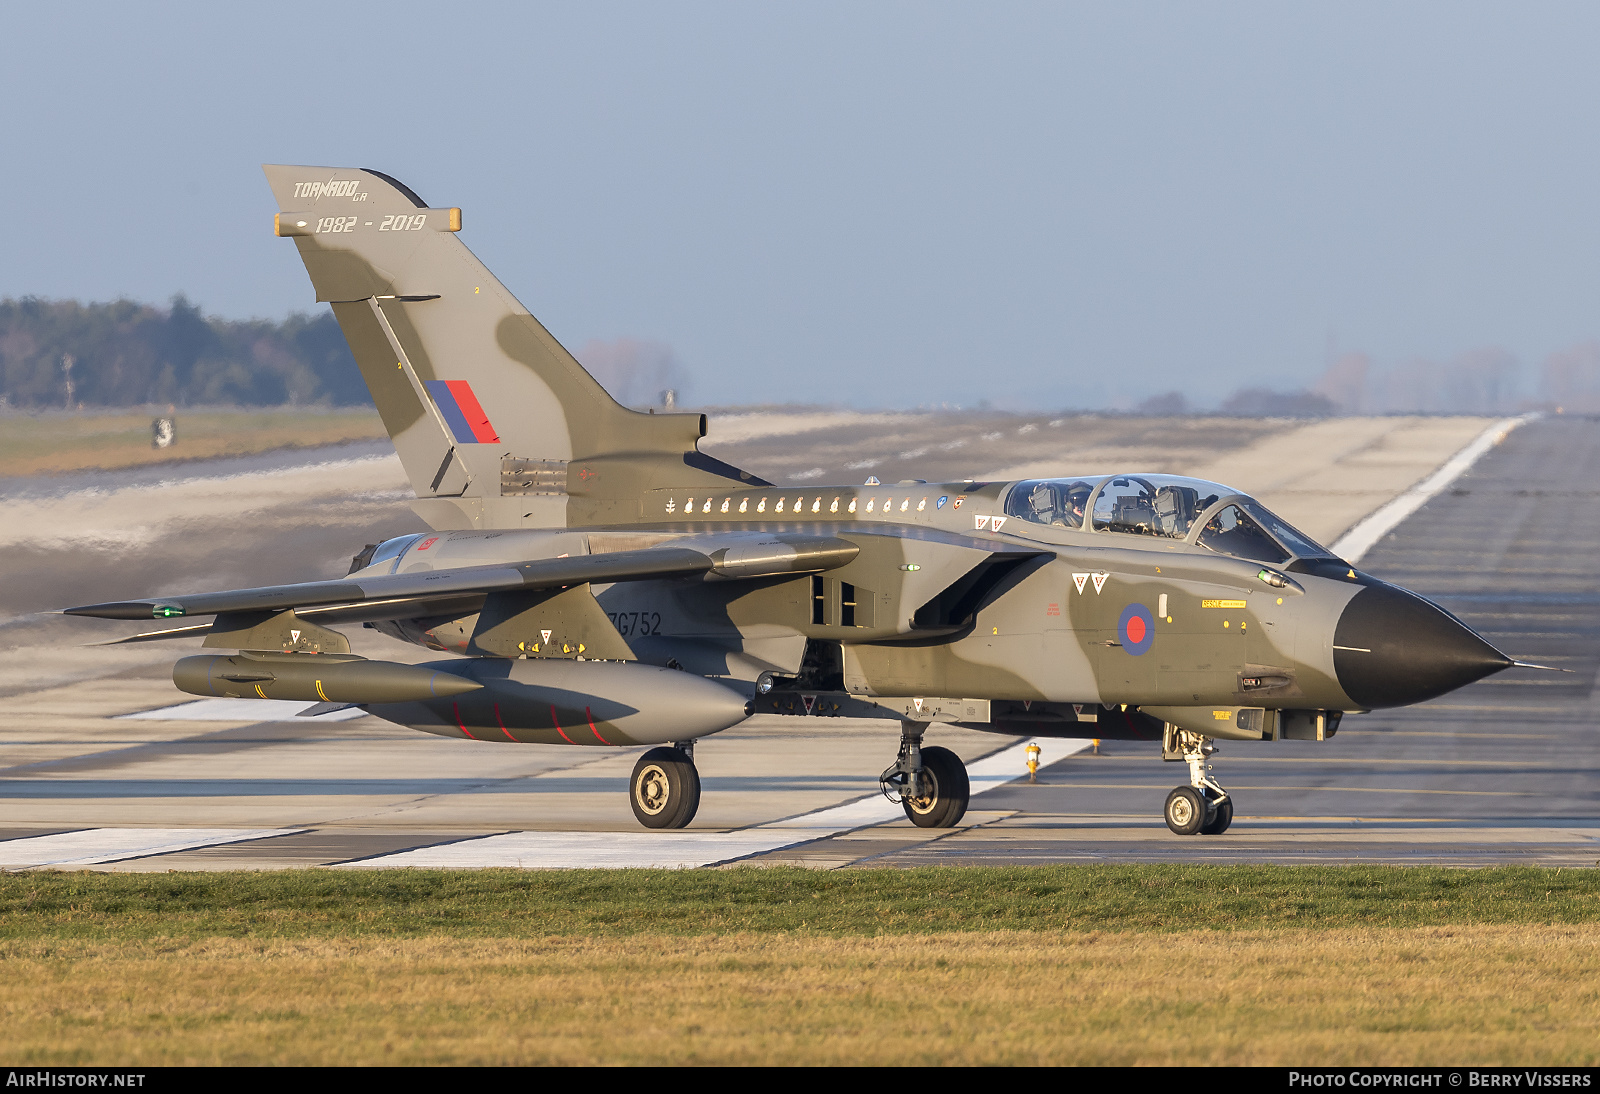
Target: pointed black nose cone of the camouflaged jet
x: 1393, y: 649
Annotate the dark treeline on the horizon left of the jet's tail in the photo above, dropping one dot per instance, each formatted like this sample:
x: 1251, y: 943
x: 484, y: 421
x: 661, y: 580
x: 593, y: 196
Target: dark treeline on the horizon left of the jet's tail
x: 127, y: 354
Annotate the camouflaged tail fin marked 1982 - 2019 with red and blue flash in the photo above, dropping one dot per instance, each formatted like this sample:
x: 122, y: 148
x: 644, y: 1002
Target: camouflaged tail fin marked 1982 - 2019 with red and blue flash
x: 497, y: 425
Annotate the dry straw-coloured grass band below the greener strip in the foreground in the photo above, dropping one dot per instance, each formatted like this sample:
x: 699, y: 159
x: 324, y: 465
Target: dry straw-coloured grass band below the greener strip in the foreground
x: 1418, y: 996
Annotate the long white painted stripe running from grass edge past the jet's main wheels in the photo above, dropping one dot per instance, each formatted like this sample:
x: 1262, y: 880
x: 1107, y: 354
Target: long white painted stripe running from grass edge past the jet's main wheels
x: 676, y: 850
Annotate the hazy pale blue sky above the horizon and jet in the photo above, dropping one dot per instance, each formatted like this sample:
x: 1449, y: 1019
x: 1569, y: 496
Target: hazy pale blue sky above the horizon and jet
x: 860, y: 204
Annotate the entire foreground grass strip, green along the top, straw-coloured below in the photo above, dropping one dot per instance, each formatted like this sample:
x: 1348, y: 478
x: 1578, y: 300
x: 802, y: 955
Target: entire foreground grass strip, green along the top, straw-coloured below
x: 1062, y: 965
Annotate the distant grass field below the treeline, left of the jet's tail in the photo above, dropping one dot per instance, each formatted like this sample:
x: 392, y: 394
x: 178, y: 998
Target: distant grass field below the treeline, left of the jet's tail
x: 36, y: 445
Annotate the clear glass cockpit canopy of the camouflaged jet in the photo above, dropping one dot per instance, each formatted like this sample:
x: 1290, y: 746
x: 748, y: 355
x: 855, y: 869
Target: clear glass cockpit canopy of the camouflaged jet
x: 1210, y: 516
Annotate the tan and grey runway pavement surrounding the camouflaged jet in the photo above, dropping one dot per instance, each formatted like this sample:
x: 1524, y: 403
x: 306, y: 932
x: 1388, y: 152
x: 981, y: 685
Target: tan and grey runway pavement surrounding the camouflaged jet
x: 1503, y: 772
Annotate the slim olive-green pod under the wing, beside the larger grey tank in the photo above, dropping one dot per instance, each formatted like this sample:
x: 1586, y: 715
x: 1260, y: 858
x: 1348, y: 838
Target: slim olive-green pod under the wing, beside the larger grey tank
x: 316, y: 677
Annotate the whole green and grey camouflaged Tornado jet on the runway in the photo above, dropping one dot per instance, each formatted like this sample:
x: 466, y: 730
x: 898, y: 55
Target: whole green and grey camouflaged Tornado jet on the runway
x: 602, y: 583
